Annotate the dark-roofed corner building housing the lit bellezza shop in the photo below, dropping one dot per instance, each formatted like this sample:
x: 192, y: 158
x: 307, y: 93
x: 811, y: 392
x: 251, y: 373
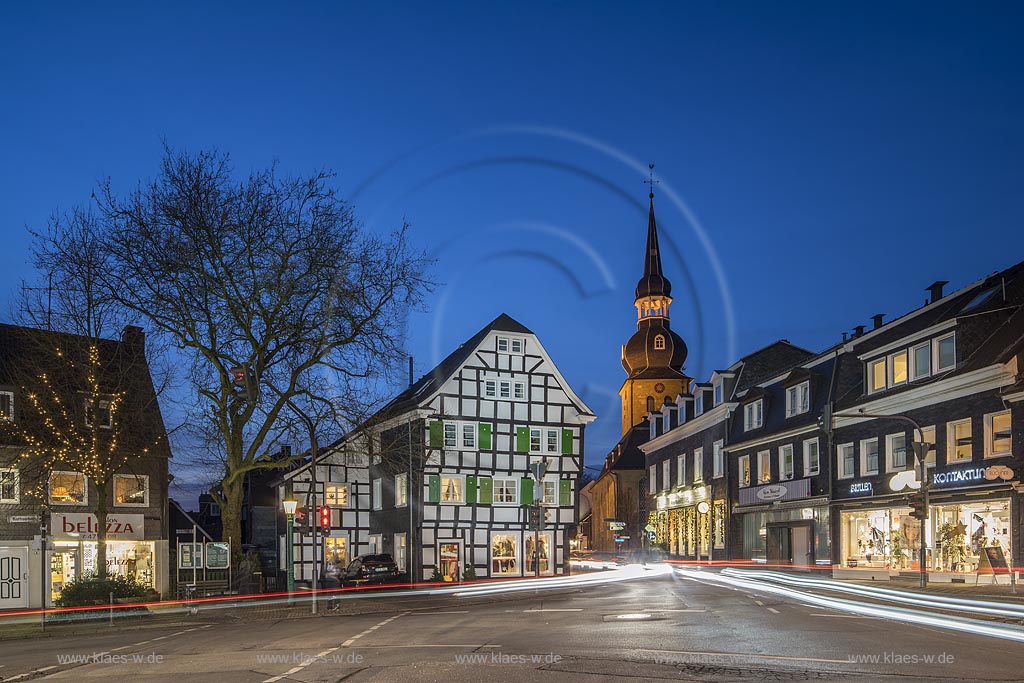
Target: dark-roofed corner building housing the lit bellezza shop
x: 49, y: 503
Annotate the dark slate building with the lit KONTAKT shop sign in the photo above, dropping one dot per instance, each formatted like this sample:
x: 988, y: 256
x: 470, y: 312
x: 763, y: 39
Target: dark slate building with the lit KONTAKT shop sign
x: 953, y: 367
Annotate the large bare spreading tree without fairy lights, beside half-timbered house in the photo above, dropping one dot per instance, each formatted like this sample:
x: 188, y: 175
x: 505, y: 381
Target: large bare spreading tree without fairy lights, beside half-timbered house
x: 273, y: 294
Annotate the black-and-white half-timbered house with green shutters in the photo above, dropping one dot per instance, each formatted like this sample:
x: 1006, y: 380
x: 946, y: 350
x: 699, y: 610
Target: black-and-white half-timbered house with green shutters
x: 442, y: 478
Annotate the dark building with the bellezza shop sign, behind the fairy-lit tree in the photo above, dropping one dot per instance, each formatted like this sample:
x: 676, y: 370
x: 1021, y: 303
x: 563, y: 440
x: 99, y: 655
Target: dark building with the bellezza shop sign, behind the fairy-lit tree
x: 49, y: 527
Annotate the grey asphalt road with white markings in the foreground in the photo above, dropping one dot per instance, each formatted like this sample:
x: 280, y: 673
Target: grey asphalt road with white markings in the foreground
x: 661, y: 627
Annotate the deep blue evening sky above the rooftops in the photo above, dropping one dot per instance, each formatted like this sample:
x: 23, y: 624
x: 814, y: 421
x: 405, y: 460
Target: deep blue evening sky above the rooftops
x: 838, y: 158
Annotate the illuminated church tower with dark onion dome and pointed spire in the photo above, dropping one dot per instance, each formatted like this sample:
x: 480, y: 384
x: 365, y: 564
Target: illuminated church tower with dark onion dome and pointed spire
x: 655, y: 356
